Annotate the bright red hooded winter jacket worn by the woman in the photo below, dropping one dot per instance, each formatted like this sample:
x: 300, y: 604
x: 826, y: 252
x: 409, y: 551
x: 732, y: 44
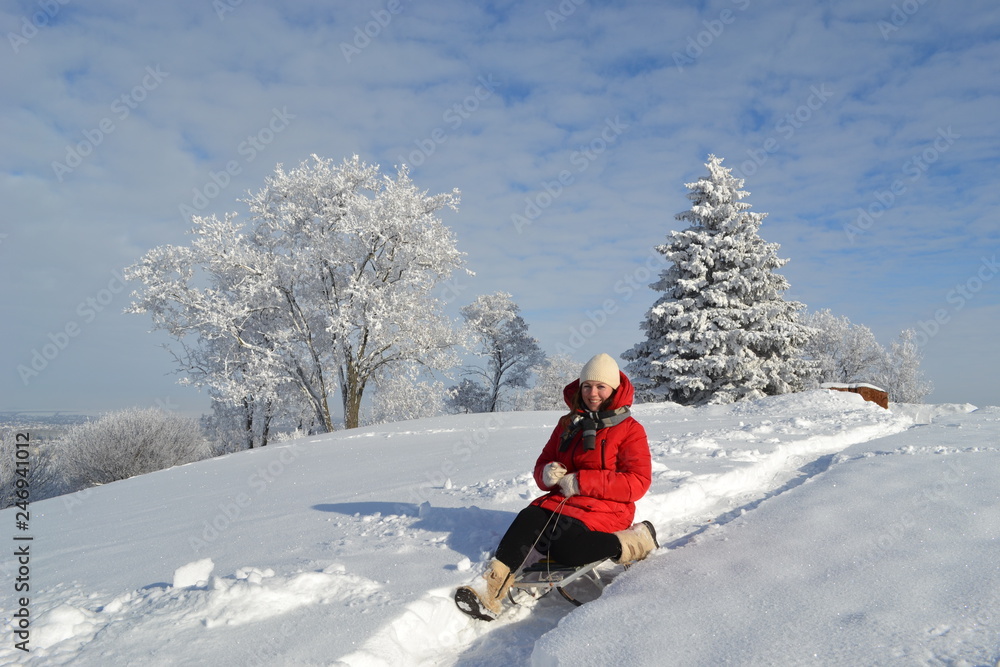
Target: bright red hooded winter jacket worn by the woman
x: 612, y: 476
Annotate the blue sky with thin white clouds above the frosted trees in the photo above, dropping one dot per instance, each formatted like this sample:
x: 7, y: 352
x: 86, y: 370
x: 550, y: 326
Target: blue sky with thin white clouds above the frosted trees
x: 864, y: 130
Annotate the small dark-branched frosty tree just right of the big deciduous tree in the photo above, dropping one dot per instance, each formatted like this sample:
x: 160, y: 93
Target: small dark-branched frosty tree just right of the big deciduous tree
x: 501, y: 338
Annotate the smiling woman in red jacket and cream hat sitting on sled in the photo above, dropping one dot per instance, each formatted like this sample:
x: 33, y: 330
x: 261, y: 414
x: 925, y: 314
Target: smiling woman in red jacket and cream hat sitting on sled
x: 594, y: 467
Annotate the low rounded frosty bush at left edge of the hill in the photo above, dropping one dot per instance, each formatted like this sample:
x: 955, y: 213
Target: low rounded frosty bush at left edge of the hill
x: 131, y: 442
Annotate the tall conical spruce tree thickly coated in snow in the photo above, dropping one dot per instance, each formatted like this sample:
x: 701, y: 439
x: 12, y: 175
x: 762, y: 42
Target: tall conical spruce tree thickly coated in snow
x: 722, y: 331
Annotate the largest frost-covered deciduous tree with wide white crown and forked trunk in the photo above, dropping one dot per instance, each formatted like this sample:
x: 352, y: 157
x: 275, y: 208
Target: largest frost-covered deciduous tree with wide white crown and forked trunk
x: 330, y: 285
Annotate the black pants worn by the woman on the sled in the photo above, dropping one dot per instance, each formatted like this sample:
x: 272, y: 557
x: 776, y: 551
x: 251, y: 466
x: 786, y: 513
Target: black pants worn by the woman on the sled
x: 561, y: 538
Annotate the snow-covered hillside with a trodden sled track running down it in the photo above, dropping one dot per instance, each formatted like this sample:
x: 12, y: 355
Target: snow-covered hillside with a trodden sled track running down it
x: 808, y: 529
